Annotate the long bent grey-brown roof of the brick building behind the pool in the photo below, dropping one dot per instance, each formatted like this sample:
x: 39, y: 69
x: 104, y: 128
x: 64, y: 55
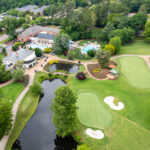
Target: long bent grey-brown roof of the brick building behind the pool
x: 36, y: 29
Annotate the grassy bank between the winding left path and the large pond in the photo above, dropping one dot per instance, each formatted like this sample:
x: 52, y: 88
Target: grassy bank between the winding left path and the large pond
x: 25, y: 111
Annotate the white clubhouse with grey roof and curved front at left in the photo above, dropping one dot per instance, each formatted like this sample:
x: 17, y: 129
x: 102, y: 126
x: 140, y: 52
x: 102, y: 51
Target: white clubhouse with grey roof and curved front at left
x: 27, y: 56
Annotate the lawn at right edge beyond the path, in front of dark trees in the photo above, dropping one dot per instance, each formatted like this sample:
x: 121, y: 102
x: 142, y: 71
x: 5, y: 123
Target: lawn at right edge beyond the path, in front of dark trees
x: 139, y: 47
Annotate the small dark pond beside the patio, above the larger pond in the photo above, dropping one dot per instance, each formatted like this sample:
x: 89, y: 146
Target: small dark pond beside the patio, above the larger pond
x: 66, y: 67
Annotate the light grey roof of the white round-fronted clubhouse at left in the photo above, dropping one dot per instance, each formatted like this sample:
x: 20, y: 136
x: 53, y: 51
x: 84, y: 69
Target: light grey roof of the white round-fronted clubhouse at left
x: 18, y: 56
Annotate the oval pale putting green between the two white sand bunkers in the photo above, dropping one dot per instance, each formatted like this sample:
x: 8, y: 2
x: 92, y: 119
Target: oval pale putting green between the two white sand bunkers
x: 91, y: 112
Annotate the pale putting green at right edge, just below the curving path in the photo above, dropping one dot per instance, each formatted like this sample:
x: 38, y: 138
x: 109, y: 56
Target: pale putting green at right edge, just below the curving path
x: 136, y: 71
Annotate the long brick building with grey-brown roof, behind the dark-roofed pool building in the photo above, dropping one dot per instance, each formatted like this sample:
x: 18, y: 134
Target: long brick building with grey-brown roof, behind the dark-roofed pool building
x: 34, y: 31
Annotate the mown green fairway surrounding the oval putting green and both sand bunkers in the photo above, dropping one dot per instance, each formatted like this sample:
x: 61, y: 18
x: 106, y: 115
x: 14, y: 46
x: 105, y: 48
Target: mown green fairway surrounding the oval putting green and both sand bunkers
x: 130, y: 127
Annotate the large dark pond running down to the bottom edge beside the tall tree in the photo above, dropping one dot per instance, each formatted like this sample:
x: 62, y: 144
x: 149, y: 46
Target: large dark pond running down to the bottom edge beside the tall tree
x: 39, y: 132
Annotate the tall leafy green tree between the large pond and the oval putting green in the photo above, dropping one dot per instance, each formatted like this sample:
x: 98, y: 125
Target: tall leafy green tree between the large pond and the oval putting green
x: 64, y: 111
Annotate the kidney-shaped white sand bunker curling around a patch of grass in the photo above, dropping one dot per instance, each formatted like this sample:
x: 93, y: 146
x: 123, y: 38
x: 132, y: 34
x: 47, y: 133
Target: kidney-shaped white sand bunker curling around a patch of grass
x: 110, y: 101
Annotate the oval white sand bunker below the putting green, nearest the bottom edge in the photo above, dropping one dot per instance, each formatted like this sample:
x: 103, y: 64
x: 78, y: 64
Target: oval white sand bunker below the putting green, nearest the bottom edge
x: 98, y: 134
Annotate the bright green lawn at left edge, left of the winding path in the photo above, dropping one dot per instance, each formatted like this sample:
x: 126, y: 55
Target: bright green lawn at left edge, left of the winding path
x: 11, y: 92
